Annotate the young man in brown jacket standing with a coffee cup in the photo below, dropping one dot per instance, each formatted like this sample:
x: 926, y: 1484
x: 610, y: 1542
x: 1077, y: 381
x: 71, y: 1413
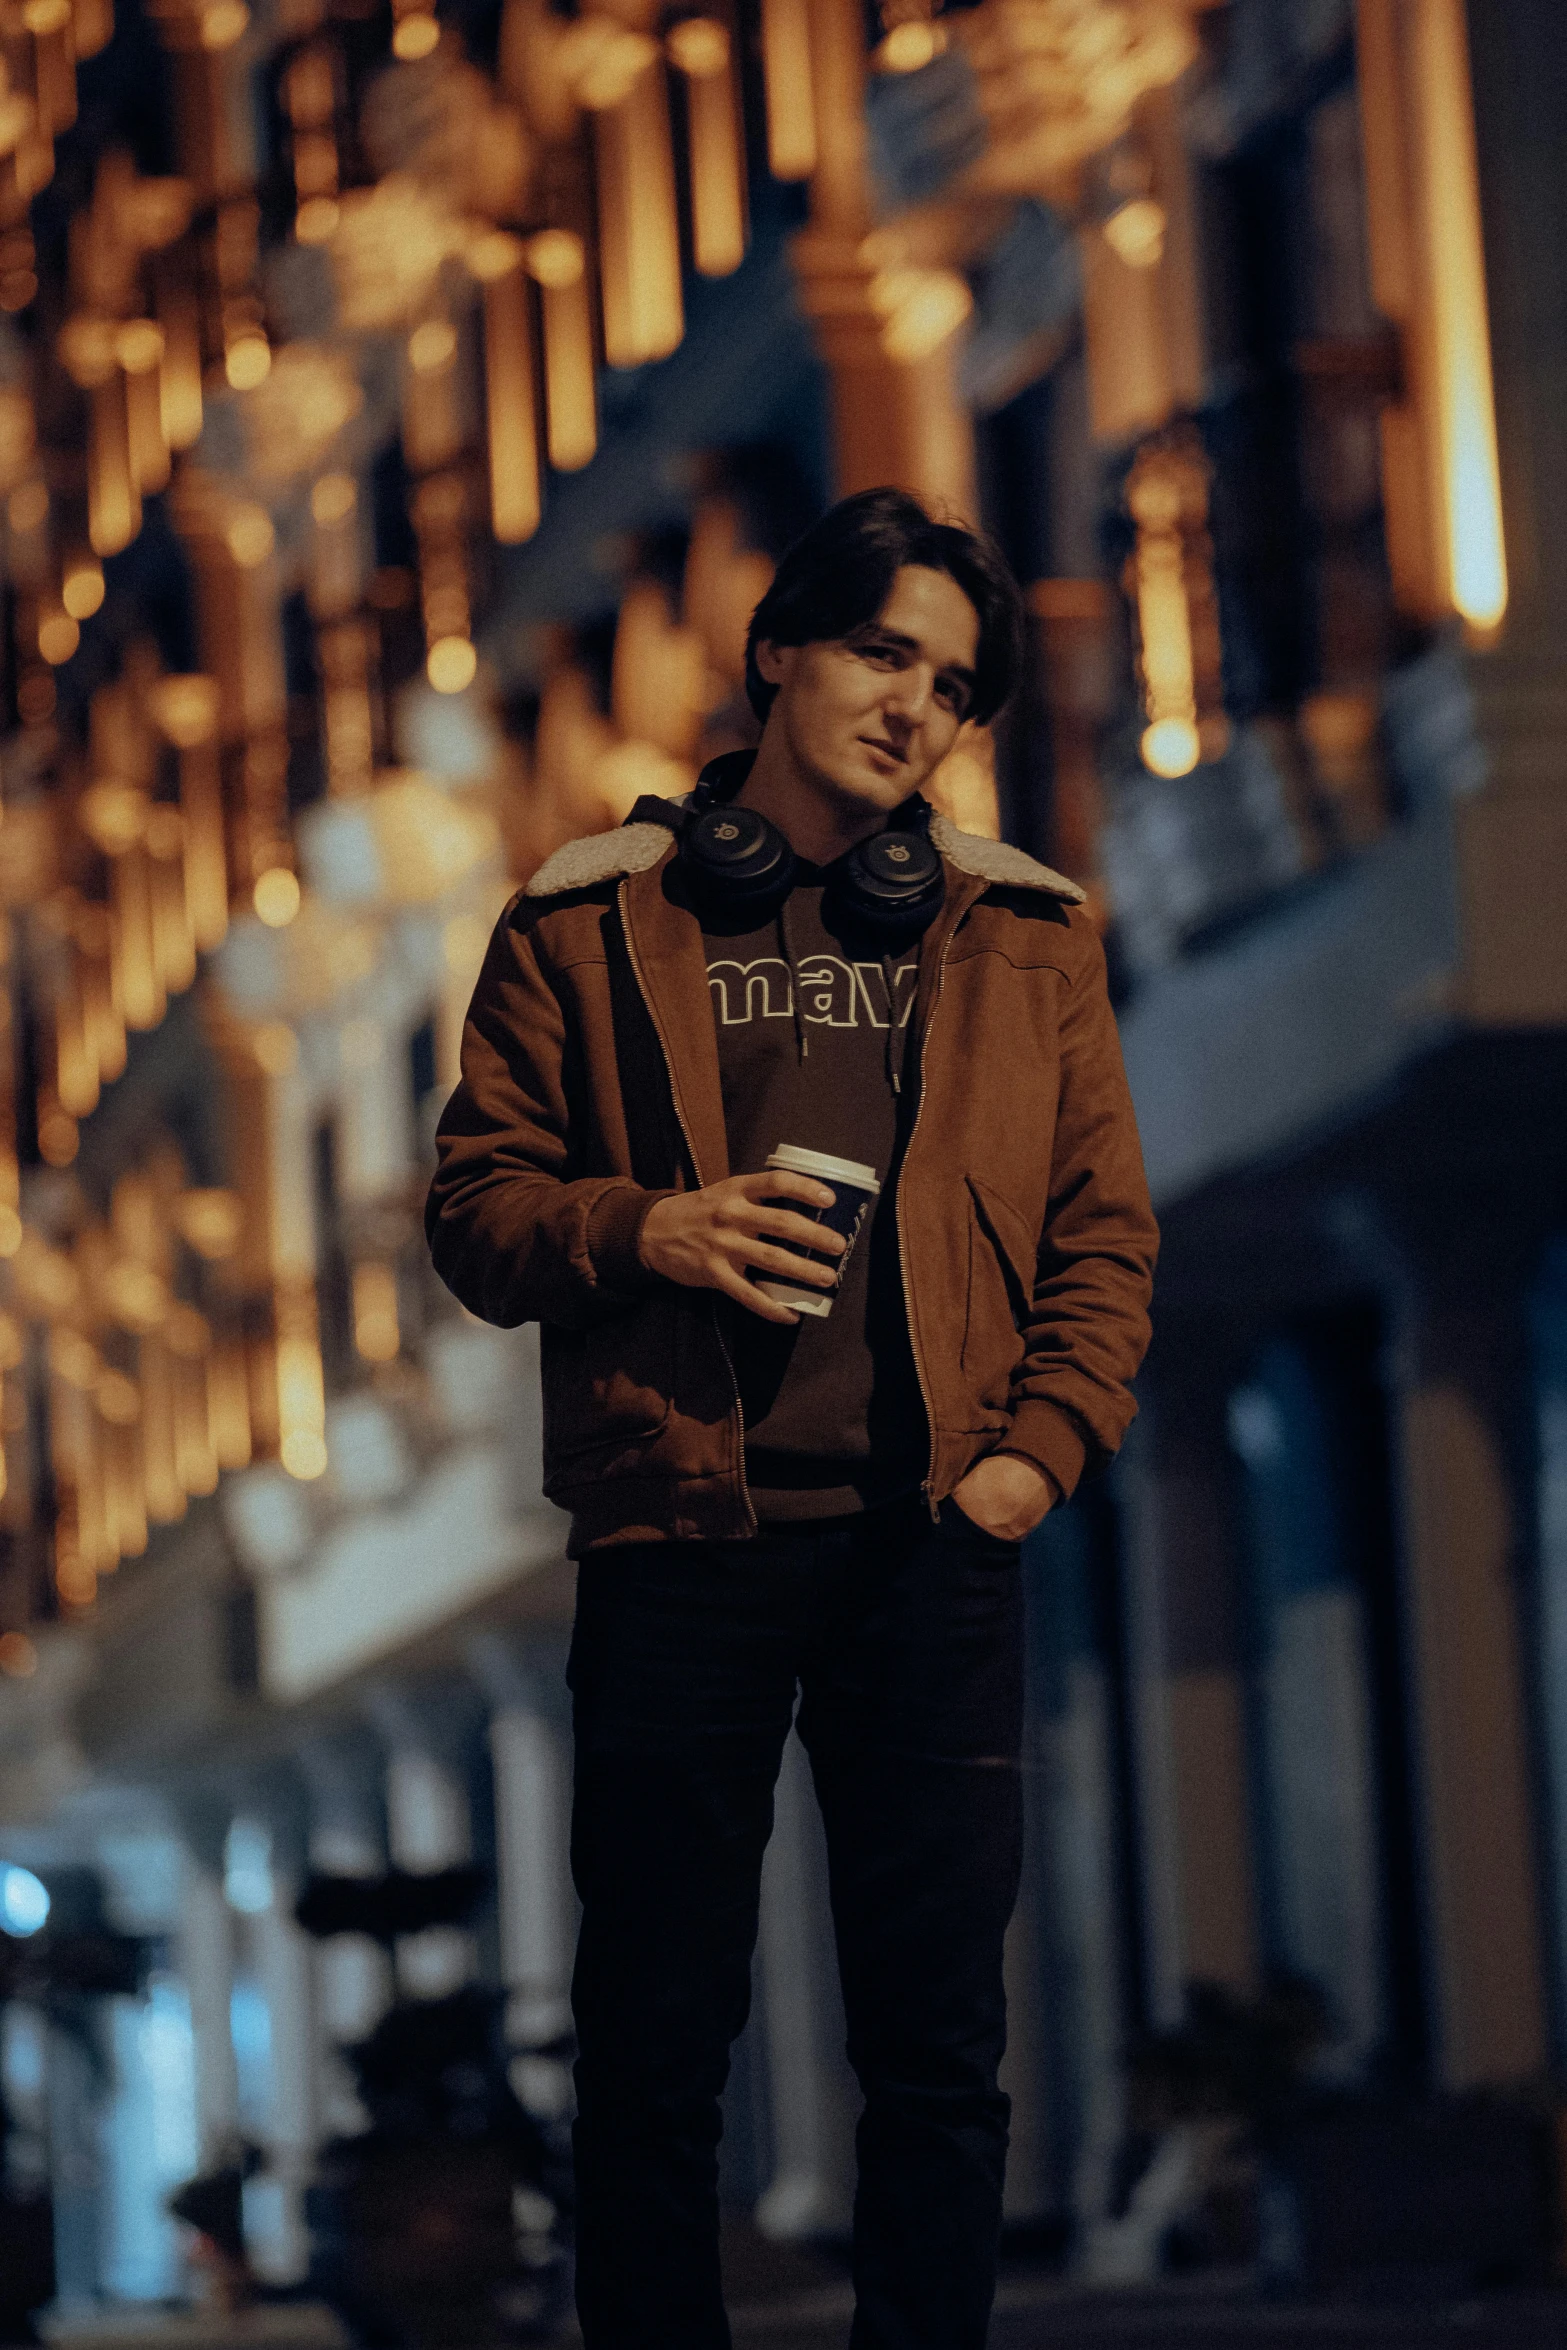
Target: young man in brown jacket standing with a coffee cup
x: 774, y: 1505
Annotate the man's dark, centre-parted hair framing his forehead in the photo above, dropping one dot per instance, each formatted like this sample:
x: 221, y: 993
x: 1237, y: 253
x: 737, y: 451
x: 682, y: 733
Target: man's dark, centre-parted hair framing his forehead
x: 842, y: 572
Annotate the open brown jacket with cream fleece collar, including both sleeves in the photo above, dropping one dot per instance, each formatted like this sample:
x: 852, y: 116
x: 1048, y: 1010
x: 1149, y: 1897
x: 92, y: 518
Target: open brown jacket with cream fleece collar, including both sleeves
x: 591, y: 1089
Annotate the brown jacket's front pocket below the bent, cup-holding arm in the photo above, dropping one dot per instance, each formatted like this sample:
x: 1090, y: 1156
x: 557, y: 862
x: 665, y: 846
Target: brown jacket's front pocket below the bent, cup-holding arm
x: 607, y: 1392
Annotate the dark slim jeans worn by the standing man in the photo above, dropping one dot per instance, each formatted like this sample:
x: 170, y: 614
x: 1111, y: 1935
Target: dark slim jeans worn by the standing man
x: 906, y: 1644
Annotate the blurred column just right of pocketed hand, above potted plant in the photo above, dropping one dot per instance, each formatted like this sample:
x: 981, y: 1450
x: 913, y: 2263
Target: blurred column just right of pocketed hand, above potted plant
x: 1188, y: 1679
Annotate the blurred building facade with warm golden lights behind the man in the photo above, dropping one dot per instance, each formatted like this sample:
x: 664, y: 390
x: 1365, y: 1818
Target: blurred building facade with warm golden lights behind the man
x: 398, y: 422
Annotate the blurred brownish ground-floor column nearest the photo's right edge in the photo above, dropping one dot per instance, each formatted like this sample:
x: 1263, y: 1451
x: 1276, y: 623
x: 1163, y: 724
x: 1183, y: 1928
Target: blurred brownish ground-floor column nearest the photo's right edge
x: 1465, y: 1463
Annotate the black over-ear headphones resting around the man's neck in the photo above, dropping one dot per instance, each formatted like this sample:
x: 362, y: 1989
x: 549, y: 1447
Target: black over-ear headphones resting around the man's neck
x: 737, y: 861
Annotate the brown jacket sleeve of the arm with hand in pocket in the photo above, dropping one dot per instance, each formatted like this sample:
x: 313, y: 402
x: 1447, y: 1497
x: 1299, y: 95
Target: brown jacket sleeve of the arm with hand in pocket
x: 1089, y: 1322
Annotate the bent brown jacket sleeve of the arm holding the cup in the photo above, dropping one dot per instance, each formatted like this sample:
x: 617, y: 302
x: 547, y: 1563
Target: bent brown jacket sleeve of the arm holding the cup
x: 513, y: 1230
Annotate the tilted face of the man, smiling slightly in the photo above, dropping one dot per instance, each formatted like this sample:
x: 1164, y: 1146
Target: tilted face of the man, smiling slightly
x: 873, y: 716
